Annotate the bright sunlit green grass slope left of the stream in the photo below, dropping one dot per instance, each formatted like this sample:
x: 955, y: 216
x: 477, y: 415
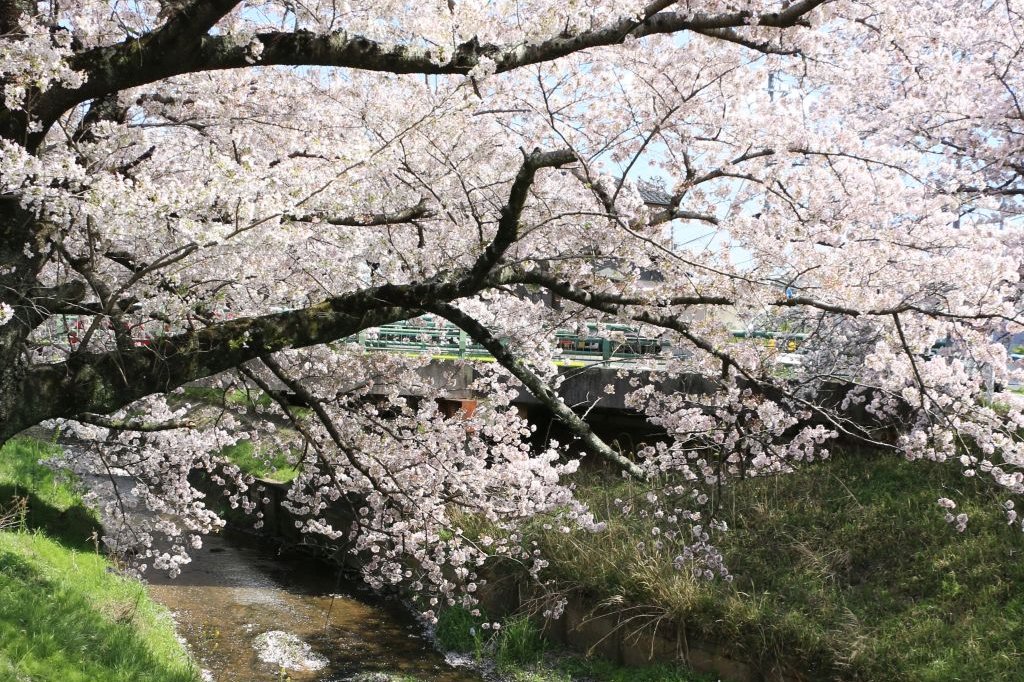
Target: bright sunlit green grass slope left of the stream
x: 64, y: 615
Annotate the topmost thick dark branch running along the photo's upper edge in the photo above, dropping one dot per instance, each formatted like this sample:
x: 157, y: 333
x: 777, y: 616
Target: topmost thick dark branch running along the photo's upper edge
x: 183, y: 47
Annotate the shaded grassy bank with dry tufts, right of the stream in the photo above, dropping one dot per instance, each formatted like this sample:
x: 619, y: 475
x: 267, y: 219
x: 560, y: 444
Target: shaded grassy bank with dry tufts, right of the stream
x: 844, y: 571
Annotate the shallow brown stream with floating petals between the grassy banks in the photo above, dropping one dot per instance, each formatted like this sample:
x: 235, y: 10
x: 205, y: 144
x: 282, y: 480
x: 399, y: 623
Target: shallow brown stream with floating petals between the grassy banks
x: 236, y: 590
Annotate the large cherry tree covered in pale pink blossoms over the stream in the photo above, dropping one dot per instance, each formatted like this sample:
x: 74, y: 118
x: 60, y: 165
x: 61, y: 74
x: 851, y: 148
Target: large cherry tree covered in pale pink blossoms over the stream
x: 229, y: 191
